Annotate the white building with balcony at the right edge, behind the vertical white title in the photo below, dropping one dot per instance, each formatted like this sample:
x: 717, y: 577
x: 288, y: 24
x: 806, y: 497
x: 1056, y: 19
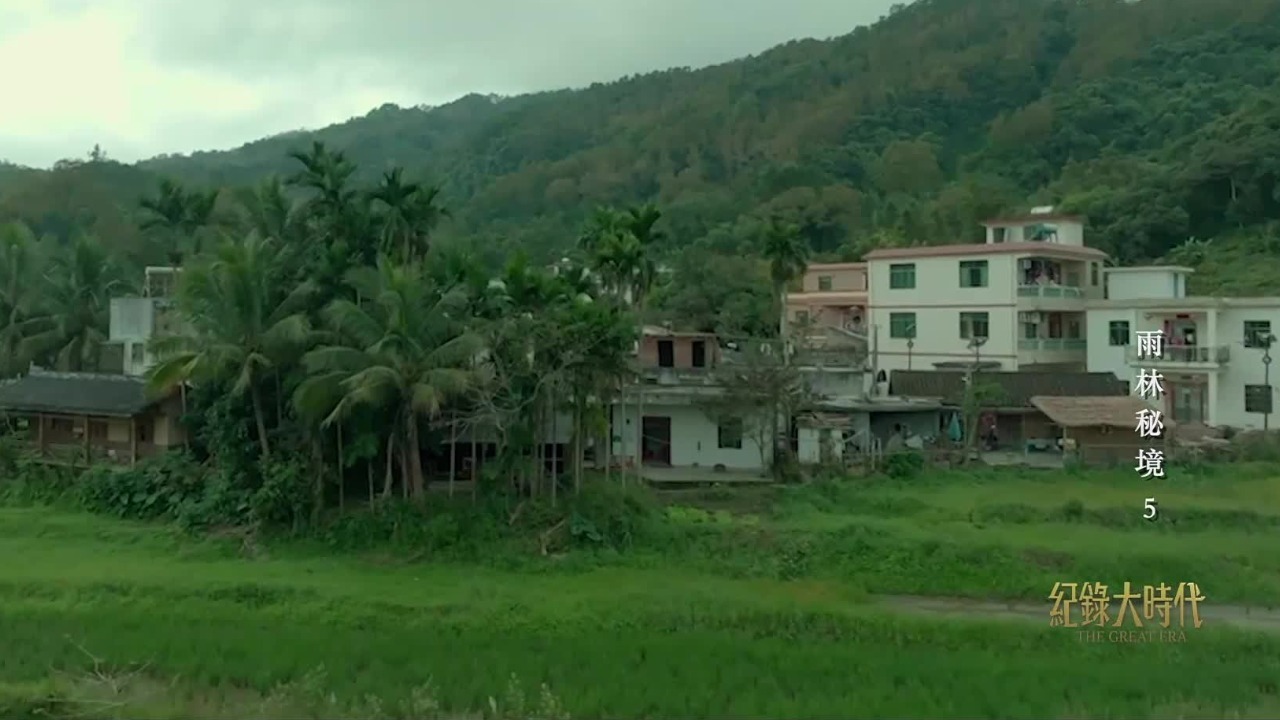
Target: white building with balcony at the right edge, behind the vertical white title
x: 1215, y: 357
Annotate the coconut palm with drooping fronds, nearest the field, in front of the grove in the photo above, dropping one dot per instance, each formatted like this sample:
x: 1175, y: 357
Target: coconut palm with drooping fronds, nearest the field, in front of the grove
x: 405, y: 352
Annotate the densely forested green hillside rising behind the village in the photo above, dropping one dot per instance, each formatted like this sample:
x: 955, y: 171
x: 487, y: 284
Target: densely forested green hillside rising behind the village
x: 1159, y: 120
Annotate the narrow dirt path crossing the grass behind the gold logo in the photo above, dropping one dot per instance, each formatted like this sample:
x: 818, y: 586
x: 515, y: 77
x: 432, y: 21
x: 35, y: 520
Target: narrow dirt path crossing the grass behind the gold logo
x: 1247, y: 618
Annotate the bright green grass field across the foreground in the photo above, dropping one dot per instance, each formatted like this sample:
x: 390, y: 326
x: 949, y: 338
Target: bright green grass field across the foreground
x: 756, y: 604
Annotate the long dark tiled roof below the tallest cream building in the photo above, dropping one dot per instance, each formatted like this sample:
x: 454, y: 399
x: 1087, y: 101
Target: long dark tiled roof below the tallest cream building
x: 1017, y: 389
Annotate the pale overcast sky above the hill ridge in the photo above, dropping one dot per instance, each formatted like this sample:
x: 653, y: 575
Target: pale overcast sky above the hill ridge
x: 144, y: 78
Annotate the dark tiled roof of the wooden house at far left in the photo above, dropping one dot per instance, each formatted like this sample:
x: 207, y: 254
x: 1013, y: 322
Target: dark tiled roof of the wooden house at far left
x: 77, y: 394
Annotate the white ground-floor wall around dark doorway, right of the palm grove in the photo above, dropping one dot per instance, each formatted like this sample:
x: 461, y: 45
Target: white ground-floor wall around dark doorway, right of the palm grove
x: 694, y: 438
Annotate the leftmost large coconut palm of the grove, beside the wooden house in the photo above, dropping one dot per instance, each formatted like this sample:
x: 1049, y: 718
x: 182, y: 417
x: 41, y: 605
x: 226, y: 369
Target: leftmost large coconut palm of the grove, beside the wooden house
x: 243, y: 325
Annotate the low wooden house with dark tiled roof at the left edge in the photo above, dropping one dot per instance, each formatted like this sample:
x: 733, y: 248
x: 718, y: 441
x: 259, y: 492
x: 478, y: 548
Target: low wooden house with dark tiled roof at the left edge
x: 89, y: 417
